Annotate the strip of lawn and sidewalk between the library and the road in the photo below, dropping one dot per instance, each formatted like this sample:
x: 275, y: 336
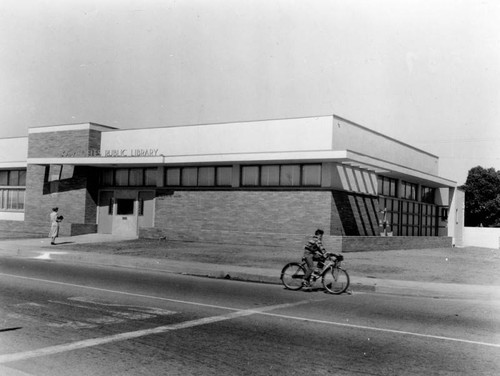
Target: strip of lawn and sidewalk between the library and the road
x: 439, y: 273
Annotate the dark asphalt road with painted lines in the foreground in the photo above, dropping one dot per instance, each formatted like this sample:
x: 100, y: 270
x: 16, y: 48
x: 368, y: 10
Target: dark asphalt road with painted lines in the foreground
x: 62, y: 319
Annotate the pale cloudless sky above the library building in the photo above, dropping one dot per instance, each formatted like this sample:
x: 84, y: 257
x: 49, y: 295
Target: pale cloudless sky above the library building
x: 425, y: 72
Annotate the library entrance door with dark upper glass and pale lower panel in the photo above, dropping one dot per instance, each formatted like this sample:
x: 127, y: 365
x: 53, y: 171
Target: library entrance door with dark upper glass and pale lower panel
x: 125, y: 219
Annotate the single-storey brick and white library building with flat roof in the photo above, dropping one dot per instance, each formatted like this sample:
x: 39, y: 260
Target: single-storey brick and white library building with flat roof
x: 257, y: 182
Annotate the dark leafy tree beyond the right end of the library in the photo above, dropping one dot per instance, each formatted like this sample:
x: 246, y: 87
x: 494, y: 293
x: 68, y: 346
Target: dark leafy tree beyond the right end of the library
x: 482, y: 197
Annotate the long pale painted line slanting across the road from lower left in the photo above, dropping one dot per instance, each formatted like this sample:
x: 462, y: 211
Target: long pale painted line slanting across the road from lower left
x: 51, y: 350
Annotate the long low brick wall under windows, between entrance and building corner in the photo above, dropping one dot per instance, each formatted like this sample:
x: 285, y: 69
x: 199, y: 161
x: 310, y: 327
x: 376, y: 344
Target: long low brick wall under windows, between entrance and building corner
x: 289, y: 212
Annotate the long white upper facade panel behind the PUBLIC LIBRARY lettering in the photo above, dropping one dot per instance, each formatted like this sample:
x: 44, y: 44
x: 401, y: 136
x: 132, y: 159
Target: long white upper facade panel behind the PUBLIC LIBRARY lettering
x: 307, y: 134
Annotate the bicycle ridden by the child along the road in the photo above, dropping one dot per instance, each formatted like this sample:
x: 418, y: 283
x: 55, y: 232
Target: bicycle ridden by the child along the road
x: 334, y: 278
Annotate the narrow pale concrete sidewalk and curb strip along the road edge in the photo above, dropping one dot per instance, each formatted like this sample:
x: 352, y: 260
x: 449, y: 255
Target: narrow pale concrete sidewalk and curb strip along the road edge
x: 259, y: 275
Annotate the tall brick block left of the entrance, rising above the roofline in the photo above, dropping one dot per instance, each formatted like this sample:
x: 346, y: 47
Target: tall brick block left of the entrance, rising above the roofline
x: 75, y: 193
